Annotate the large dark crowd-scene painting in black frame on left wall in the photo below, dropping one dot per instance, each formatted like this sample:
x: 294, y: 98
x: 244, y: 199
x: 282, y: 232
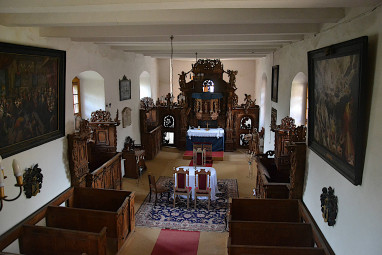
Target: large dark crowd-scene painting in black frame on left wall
x: 32, y: 97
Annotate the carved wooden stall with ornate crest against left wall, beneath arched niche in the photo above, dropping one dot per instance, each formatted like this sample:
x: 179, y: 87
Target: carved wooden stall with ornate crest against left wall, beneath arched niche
x: 95, y: 162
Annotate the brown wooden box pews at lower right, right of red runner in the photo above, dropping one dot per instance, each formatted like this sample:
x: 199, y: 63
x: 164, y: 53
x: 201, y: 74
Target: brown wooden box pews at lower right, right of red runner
x: 273, y: 226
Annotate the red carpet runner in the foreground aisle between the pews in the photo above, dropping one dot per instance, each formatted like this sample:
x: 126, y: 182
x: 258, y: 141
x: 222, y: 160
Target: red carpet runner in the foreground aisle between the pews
x: 174, y: 242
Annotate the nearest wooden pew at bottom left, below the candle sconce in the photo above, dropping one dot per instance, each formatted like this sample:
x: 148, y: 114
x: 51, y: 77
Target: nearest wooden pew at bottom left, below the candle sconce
x: 46, y: 241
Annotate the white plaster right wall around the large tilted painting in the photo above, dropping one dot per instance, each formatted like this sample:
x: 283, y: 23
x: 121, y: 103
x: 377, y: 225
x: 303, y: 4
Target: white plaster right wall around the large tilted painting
x: 358, y: 229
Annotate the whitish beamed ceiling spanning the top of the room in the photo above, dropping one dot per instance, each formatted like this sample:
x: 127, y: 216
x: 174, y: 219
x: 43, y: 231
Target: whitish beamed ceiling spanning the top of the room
x: 212, y: 28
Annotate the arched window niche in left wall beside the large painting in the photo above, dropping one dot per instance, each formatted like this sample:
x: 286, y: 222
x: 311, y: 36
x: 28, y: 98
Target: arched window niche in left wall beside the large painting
x: 91, y: 94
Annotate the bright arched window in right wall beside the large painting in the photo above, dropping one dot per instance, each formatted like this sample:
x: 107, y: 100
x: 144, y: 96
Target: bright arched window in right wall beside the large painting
x: 298, y: 99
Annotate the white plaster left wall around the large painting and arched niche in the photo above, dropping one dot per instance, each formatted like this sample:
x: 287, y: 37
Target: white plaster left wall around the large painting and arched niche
x: 52, y: 156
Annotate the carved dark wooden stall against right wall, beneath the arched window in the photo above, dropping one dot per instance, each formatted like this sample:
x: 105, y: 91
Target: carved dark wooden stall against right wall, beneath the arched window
x: 283, y: 176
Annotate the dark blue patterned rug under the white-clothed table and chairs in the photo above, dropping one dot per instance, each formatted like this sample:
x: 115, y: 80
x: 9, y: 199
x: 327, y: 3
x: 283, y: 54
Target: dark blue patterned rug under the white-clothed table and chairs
x: 164, y: 215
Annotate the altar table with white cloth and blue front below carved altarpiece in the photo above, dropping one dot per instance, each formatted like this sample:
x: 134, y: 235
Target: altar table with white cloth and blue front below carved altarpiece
x: 214, y: 136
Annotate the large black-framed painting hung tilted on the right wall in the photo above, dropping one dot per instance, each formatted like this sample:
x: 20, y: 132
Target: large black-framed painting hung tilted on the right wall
x: 337, y: 106
